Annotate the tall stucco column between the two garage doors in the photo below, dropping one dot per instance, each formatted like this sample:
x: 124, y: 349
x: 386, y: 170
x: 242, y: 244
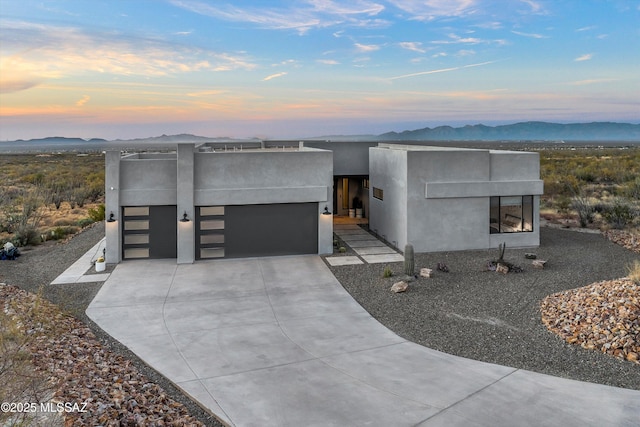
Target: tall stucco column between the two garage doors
x: 186, y: 230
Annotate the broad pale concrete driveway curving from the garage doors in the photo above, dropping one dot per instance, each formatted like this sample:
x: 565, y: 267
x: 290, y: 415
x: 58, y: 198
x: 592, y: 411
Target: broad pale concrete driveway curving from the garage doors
x: 279, y: 342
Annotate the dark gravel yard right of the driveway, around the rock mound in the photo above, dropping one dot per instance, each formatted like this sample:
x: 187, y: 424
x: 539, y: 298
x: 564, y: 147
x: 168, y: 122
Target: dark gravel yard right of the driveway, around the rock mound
x: 496, y: 318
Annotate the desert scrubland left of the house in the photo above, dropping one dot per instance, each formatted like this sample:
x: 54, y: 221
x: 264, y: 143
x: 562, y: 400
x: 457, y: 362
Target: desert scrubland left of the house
x: 47, y: 197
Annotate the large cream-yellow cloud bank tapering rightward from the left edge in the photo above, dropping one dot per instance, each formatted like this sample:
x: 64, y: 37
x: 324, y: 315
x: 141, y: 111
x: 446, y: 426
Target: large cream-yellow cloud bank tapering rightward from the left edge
x: 37, y: 53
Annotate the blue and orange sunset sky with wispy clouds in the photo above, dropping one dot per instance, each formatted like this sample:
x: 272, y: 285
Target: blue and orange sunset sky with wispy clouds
x: 288, y: 69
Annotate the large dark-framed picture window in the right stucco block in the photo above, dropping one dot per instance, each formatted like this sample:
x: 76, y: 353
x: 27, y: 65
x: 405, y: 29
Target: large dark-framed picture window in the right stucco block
x: 511, y: 214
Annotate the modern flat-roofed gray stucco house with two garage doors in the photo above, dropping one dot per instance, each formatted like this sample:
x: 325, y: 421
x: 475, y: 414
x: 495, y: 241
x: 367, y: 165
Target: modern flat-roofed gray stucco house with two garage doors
x: 262, y: 199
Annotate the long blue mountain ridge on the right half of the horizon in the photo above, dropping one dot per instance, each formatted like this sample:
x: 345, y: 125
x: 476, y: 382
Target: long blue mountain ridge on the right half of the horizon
x: 526, y: 131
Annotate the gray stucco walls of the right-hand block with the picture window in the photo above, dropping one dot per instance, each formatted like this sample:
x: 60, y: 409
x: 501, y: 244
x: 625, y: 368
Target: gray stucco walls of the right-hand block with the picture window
x: 447, y: 195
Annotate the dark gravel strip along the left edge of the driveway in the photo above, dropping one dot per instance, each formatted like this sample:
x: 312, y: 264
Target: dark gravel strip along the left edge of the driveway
x: 37, y: 267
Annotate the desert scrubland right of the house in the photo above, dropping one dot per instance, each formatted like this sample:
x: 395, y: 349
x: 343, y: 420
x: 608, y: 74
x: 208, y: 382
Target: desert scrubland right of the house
x: 591, y: 187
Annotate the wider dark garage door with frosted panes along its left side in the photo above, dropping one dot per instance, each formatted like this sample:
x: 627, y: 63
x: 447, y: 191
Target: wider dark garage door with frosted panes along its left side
x: 257, y: 230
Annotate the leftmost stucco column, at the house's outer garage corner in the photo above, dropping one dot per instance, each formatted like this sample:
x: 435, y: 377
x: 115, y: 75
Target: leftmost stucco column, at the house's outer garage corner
x: 113, y: 230
